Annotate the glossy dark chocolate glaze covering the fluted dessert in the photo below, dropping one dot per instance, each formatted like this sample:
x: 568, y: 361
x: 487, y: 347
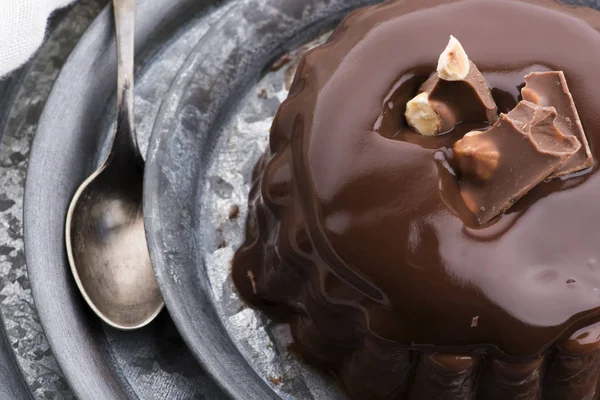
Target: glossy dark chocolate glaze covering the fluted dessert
x: 357, y: 234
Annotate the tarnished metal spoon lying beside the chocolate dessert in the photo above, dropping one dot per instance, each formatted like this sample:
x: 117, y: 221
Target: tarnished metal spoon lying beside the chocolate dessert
x: 106, y: 244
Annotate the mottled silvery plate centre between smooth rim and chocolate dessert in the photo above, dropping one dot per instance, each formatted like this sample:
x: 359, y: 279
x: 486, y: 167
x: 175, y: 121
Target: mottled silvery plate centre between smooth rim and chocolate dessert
x: 241, y: 141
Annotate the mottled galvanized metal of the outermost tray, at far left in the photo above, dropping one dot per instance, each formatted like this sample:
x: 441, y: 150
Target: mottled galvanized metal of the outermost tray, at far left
x: 29, y: 90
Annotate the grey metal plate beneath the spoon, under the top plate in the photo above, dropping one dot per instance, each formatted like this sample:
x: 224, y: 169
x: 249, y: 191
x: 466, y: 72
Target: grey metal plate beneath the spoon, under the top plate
x: 97, y: 361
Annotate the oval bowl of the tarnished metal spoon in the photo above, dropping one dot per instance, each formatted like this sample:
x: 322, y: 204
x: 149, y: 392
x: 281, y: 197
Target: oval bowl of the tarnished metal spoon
x: 108, y: 249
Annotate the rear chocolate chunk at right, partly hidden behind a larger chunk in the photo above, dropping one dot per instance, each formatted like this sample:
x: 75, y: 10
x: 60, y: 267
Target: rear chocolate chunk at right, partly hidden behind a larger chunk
x: 551, y: 89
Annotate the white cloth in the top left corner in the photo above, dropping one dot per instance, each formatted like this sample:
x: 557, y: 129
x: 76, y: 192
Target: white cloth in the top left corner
x: 22, y: 29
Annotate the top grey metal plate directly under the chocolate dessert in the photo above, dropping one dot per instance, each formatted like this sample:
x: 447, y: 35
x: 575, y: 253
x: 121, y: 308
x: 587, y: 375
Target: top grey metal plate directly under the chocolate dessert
x: 192, y: 130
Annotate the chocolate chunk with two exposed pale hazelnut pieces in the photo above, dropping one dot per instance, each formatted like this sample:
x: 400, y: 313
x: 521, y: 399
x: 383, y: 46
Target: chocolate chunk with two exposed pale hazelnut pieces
x: 456, y: 93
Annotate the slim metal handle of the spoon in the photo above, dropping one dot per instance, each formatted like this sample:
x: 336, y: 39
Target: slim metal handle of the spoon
x: 125, y: 140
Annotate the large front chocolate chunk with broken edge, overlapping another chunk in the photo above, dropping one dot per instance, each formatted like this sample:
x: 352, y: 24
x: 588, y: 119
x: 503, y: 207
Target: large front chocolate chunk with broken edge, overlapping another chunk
x: 502, y: 164
